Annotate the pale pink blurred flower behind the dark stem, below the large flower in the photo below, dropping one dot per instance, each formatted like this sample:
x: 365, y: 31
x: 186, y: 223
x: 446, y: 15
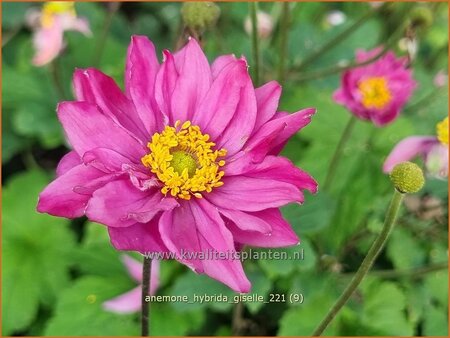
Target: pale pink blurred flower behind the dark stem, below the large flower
x: 131, y: 301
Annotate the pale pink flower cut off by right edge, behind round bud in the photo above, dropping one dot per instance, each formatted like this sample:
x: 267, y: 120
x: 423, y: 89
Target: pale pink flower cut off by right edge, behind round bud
x: 433, y: 150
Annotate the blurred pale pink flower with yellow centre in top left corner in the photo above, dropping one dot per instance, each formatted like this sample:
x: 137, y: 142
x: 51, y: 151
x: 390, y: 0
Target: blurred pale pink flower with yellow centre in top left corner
x: 49, y: 25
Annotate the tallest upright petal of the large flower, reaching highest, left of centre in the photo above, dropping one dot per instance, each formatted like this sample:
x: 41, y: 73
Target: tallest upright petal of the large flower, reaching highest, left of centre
x: 140, y: 76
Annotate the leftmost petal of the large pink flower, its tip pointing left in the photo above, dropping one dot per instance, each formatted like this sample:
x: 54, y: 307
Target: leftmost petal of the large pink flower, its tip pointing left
x: 67, y: 195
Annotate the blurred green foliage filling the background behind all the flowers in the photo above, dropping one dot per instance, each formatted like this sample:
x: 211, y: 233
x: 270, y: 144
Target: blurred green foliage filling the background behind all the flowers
x: 56, y: 273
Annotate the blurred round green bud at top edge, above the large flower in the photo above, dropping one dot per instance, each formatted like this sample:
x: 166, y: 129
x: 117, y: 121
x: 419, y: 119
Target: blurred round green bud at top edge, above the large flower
x: 200, y: 15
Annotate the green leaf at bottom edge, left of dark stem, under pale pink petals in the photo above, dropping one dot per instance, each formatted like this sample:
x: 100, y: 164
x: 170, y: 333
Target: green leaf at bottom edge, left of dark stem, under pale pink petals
x: 85, y: 299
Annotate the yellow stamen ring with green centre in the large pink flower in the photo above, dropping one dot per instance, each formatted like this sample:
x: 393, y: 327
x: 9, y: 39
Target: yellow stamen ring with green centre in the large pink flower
x: 184, y: 161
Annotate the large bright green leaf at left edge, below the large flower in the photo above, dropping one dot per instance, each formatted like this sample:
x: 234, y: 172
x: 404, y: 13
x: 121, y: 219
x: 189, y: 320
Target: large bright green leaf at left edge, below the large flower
x: 35, y: 267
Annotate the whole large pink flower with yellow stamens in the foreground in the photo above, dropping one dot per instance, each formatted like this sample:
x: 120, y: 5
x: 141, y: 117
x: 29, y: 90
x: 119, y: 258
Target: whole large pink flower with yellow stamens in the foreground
x: 186, y: 161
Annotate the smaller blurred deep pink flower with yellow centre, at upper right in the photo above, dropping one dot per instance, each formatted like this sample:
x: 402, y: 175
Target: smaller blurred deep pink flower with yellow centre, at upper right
x: 377, y: 91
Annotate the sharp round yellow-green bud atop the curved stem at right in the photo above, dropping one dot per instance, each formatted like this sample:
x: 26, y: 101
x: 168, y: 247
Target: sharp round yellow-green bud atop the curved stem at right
x: 407, y: 177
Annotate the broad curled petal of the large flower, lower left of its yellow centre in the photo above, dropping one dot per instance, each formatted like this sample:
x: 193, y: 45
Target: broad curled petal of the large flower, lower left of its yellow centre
x: 121, y: 204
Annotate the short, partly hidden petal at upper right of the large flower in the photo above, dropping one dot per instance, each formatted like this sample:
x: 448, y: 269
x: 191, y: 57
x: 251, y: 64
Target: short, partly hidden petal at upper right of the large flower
x: 267, y: 98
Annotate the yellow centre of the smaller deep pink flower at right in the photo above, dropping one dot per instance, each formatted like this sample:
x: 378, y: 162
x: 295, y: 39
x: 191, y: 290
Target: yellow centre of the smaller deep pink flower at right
x: 375, y: 92
